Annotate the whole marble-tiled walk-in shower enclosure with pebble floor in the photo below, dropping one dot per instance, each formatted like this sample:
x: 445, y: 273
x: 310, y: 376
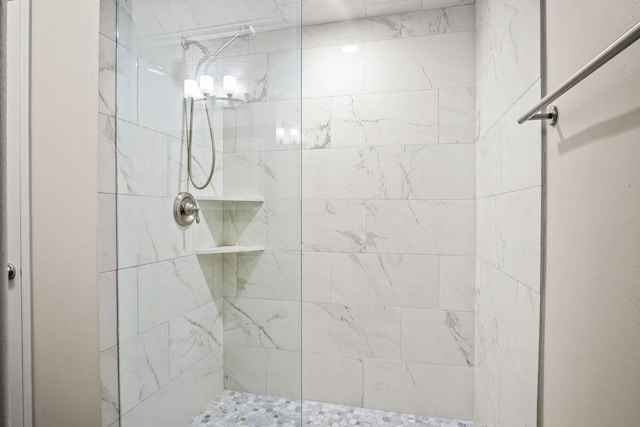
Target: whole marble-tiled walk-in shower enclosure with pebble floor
x: 370, y: 241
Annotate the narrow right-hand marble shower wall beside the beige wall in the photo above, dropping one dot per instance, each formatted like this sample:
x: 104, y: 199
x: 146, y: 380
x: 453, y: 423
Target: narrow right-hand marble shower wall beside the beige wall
x: 509, y: 194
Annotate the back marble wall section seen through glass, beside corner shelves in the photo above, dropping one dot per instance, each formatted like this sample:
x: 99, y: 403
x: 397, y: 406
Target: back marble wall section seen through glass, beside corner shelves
x: 262, y: 159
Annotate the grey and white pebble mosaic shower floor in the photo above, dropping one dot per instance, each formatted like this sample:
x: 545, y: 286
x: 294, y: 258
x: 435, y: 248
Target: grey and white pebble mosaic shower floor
x: 232, y: 408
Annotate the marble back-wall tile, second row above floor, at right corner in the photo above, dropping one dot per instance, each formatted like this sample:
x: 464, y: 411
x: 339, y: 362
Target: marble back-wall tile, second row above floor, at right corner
x: 437, y: 337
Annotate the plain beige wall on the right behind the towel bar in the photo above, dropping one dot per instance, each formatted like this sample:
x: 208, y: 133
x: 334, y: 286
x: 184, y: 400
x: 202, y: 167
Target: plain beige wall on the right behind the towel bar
x: 591, y: 339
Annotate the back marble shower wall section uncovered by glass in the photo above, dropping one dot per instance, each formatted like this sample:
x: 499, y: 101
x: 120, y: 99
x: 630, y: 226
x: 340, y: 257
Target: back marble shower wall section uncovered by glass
x: 389, y: 211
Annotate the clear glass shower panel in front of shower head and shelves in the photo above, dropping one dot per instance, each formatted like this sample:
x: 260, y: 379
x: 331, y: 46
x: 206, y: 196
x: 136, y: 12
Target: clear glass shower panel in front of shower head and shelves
x: 208, y: 312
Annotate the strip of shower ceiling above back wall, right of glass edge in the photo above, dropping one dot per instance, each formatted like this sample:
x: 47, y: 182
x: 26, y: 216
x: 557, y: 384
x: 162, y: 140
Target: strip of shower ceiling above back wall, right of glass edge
x: 323, y: 11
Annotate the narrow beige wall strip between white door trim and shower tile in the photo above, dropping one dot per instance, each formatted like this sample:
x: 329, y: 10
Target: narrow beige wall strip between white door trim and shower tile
x: 64, y: 129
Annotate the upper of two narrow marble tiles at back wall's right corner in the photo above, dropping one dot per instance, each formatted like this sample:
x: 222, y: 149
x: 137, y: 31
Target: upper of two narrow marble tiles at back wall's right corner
x: 457, y: 115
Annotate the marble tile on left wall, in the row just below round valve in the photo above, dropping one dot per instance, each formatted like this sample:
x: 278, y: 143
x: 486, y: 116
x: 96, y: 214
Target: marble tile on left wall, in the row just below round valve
x: 171, y: 288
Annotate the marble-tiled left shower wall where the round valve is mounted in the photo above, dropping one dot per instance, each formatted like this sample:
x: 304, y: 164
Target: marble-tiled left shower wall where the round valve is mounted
x: 161, y: 305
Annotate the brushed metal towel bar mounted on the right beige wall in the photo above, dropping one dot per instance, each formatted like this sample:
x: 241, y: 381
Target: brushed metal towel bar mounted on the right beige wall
x: 623, y: 42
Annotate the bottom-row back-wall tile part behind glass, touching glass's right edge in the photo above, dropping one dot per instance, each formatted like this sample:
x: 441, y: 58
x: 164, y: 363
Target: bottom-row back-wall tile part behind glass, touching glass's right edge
x: 284, y: 374
